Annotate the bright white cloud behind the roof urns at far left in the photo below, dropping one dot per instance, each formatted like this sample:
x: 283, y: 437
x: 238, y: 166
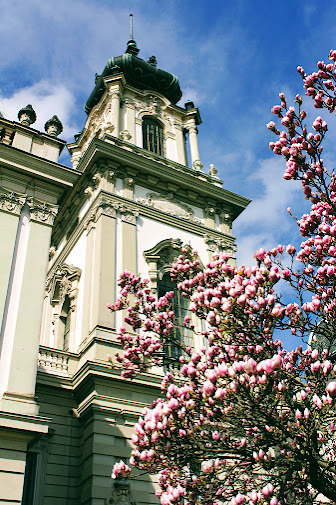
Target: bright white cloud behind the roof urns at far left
x: 47, y: 99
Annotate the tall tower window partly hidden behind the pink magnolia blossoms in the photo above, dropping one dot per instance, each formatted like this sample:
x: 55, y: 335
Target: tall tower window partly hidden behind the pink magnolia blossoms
x: 180, y: 306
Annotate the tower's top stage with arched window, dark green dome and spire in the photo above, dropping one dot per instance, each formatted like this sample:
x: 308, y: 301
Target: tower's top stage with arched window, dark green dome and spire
x: 134, y: 104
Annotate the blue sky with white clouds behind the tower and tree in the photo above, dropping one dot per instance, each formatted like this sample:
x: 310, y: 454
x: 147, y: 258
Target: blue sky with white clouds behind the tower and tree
x: 232, y: 59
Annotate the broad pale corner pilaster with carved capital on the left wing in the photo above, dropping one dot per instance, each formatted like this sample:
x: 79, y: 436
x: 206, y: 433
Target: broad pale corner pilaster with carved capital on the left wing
x: 23, y: 310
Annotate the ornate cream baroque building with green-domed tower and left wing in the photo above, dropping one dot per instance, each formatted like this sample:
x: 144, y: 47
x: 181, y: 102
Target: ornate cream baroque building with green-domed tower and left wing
x: 129, y: 201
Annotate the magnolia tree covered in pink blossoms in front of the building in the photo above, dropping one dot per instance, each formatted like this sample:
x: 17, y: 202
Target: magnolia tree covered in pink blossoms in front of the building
x: 243, y: 420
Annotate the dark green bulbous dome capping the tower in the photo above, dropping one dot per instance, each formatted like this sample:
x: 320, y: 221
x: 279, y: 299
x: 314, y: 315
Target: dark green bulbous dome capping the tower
x: 138, y: 73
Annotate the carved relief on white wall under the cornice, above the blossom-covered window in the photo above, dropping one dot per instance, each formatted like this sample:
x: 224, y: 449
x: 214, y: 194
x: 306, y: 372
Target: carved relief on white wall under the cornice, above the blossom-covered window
x: 170, y: 205
